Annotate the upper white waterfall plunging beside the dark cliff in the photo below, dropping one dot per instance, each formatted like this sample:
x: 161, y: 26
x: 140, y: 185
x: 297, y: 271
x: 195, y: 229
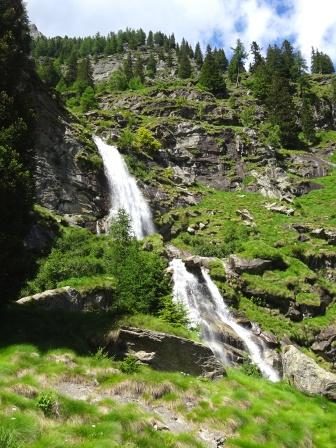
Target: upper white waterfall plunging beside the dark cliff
x: 124, y: 191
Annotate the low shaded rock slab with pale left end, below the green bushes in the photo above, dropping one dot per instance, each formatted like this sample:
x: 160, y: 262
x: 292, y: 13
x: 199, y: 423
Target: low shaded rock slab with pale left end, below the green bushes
x: 70, y: 299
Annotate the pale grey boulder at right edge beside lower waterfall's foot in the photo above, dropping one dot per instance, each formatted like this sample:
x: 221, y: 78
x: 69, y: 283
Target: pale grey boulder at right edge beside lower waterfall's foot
x: 303, y: 373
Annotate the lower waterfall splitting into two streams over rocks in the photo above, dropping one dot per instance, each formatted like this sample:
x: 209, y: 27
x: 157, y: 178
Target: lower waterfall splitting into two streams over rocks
x: 206, y: 308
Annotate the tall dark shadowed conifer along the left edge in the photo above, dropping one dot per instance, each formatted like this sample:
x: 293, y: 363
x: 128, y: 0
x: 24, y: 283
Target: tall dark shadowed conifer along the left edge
x: 15, y: 141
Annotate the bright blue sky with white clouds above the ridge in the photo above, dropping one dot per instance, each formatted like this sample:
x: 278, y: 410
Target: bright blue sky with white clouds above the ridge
x: 306, y: 23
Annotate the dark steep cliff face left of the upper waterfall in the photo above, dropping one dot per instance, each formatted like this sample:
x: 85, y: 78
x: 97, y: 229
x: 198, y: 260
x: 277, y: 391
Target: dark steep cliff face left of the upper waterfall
x: 65, y: 181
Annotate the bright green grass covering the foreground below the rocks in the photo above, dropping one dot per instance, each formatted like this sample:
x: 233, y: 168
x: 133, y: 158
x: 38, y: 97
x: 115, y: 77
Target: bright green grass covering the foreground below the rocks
x: 250, y: 412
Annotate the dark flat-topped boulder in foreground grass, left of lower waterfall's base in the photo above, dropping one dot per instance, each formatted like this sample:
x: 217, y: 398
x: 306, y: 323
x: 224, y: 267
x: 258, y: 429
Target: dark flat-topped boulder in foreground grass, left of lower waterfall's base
x: 165, y: 352
